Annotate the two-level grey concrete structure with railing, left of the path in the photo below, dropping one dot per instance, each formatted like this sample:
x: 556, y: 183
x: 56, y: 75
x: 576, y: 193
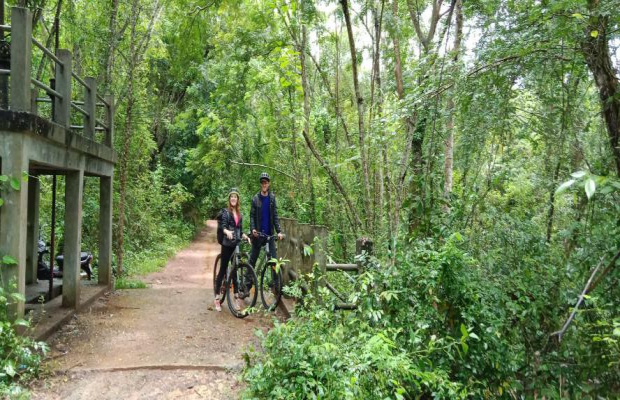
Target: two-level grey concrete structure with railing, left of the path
x: 36, y: 145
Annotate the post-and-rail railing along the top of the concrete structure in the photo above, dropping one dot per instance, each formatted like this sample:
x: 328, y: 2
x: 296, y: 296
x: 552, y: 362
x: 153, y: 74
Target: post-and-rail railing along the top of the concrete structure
x: 24, y: 88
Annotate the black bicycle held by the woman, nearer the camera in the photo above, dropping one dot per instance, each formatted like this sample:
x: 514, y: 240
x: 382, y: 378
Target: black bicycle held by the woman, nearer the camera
x: 239, y: 275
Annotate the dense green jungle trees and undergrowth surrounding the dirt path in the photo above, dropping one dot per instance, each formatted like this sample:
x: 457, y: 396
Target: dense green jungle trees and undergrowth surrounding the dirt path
x: 475, y: 142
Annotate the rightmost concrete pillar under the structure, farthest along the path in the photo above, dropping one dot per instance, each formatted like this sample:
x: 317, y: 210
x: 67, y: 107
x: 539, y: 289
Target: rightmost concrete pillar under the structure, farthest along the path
x: 105, y: 231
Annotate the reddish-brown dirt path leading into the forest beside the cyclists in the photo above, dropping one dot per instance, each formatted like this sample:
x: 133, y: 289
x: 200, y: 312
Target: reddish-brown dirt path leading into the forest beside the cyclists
x: 164, y: 342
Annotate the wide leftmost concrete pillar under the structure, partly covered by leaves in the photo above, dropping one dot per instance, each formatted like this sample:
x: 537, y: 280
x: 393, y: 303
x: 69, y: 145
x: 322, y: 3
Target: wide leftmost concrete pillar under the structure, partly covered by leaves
x: 13, y: 218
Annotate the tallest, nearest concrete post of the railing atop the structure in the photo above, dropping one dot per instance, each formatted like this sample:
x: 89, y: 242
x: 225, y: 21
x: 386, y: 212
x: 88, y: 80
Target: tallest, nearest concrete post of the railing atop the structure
x: 21, y: 58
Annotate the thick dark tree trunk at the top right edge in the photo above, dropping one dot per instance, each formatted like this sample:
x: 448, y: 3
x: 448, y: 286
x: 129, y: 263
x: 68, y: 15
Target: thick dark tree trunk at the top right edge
x: 595, y: 49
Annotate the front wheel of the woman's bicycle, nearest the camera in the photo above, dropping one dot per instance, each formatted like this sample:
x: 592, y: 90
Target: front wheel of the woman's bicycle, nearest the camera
x: 242, y: 289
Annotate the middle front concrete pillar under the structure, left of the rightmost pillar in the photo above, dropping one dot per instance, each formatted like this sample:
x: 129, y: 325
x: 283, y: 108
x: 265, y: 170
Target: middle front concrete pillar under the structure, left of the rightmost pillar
x: 74, y: 187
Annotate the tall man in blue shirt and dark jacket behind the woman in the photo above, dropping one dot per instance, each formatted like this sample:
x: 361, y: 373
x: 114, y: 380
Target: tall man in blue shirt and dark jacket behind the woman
x: 263, y: 219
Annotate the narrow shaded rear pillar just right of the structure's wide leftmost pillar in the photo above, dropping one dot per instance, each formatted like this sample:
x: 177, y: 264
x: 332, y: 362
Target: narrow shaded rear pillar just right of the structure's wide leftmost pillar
x: 32, y: 250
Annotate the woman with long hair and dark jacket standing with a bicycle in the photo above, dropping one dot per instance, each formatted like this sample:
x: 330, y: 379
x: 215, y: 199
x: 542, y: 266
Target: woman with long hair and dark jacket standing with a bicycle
x: 232, y: 222
